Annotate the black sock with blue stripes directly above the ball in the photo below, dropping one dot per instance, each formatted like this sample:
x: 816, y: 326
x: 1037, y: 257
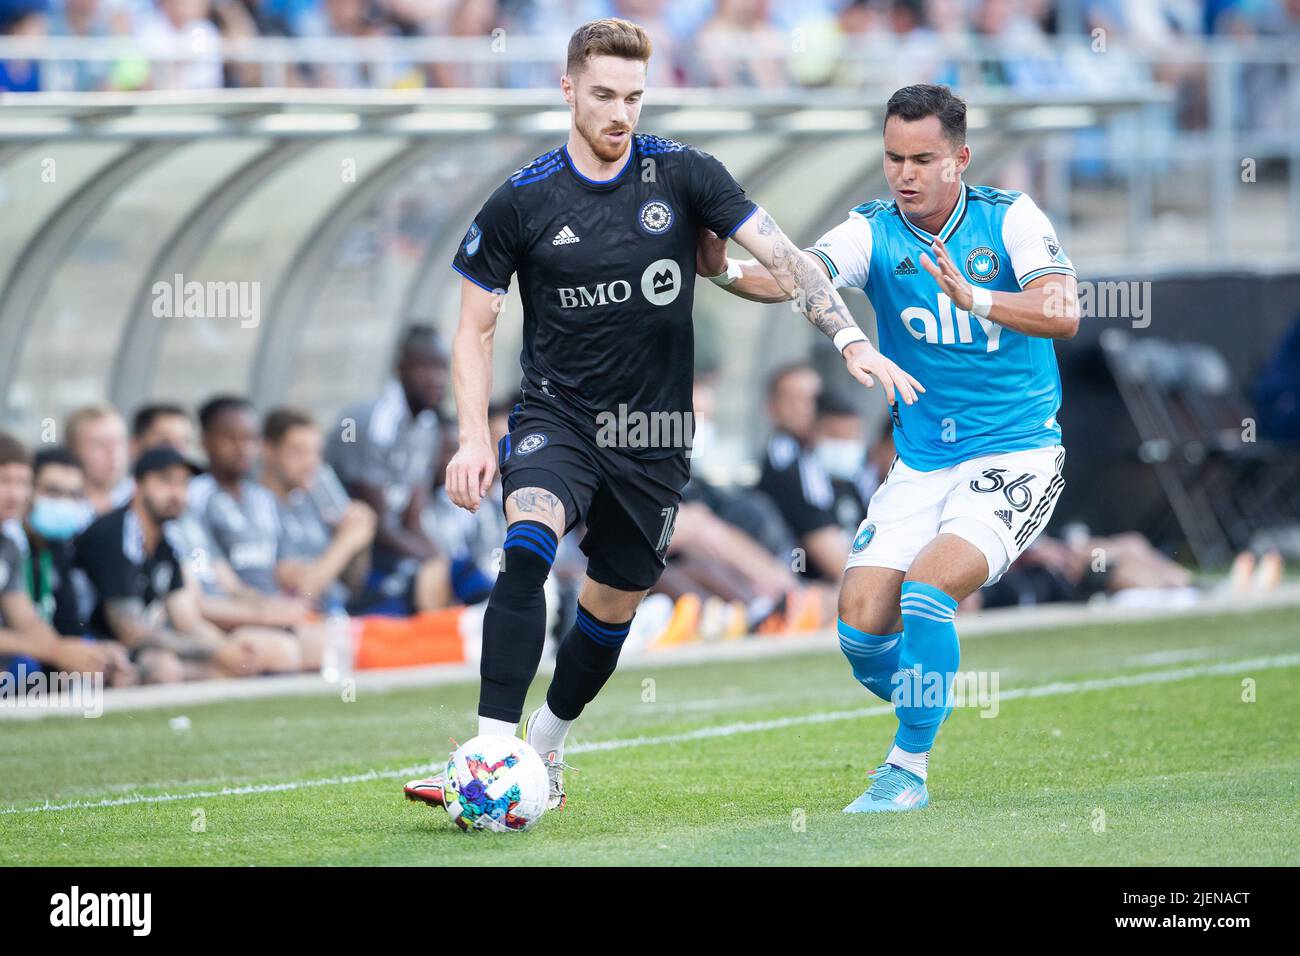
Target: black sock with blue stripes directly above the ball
x: 515, y: 622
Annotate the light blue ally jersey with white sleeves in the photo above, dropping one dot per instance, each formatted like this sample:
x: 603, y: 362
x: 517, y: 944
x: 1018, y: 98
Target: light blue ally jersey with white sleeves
x: 989, y: 390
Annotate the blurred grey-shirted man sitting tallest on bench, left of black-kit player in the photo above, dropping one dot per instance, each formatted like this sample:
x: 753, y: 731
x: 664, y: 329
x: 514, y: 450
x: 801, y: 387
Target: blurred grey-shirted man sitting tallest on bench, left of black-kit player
x: 384, y: 451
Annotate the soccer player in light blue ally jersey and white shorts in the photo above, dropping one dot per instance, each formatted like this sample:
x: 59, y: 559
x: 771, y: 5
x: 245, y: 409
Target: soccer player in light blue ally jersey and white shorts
x: 970, y: 287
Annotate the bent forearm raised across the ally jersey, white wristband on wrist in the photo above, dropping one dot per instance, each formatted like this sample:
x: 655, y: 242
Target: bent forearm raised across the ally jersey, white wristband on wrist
x: 1048, y: 308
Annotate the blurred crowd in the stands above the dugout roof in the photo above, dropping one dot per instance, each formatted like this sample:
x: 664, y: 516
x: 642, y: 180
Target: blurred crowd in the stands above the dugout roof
x: 722, y: 44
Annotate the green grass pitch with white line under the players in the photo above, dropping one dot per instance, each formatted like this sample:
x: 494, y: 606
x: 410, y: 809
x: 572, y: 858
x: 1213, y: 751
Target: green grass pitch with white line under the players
x: 1125, y: 745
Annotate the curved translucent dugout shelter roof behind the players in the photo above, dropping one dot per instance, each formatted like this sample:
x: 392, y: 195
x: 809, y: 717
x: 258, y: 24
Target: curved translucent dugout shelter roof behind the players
x: 340, y: 211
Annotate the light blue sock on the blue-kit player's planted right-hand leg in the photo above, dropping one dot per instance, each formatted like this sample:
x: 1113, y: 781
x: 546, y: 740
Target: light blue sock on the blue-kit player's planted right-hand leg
x: 929, y: 648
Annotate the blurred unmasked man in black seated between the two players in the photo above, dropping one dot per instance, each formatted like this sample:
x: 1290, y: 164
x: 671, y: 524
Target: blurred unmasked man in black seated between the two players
x: 794, y: 477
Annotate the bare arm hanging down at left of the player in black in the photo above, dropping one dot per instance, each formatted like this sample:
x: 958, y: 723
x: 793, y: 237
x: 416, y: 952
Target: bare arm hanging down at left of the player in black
x: 471, y: 470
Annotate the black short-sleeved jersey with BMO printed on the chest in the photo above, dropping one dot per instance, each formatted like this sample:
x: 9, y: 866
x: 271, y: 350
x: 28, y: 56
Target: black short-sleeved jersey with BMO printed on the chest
x: 606, y: 275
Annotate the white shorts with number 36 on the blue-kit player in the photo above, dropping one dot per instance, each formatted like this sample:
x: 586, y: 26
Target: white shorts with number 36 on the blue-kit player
x: 998, y: 503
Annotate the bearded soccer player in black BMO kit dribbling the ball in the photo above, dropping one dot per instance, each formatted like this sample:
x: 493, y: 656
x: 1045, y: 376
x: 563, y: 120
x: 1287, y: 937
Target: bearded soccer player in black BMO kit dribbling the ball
x: 603, y: 233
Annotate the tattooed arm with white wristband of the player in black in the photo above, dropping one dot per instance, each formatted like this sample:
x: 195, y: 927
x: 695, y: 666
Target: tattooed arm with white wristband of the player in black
x: 808, y: 284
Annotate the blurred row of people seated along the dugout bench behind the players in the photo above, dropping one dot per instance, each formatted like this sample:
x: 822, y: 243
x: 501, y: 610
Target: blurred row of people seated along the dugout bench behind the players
x: 231, y: 542
